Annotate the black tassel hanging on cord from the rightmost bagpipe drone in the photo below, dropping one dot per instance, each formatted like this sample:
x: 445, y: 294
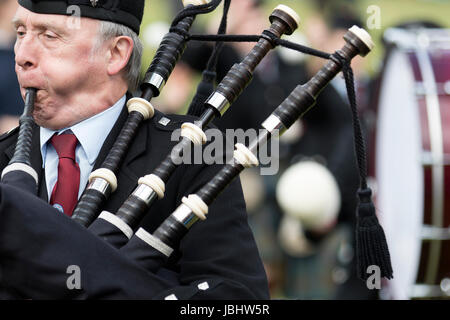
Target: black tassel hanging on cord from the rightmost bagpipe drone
x: 371, y: 245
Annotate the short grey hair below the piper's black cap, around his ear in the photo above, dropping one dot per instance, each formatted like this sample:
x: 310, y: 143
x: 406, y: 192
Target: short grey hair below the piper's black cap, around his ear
x: 109, y: 30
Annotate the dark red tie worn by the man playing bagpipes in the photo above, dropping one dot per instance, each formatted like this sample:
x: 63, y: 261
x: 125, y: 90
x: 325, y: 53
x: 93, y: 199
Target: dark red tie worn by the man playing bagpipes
x: 65, y: 193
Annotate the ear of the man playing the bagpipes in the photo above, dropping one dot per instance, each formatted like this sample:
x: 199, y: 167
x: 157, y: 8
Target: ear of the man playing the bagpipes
x: 120, y: 52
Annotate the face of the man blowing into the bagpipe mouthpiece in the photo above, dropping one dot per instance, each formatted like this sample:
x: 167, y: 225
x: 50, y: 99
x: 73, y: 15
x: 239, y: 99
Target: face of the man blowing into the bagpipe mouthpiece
x: 58, y: 59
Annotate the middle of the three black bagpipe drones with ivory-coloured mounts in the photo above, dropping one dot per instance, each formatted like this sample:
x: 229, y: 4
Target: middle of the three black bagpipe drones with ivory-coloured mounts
x: 152, y: 186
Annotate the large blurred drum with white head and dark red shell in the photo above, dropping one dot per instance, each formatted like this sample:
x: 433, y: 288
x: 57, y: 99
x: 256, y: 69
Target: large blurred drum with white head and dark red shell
x: 413, y: 161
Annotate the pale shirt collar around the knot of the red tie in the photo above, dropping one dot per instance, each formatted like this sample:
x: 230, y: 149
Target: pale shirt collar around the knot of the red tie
x: 91, y: 133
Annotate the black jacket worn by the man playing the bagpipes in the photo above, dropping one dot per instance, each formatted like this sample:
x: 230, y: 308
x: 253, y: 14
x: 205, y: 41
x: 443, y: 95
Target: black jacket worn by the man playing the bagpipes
x: 37, y: 244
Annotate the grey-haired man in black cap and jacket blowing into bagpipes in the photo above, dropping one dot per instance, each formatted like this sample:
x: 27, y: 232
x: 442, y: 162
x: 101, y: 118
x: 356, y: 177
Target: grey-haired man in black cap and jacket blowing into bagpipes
x: 83, y: 70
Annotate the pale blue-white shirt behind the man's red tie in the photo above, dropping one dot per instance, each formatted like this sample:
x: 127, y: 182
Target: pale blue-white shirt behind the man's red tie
x: 91, y: 134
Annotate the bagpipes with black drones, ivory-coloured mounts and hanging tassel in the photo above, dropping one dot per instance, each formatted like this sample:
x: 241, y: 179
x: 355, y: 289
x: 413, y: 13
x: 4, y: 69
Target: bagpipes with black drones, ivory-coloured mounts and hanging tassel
x: 122, y: 239
